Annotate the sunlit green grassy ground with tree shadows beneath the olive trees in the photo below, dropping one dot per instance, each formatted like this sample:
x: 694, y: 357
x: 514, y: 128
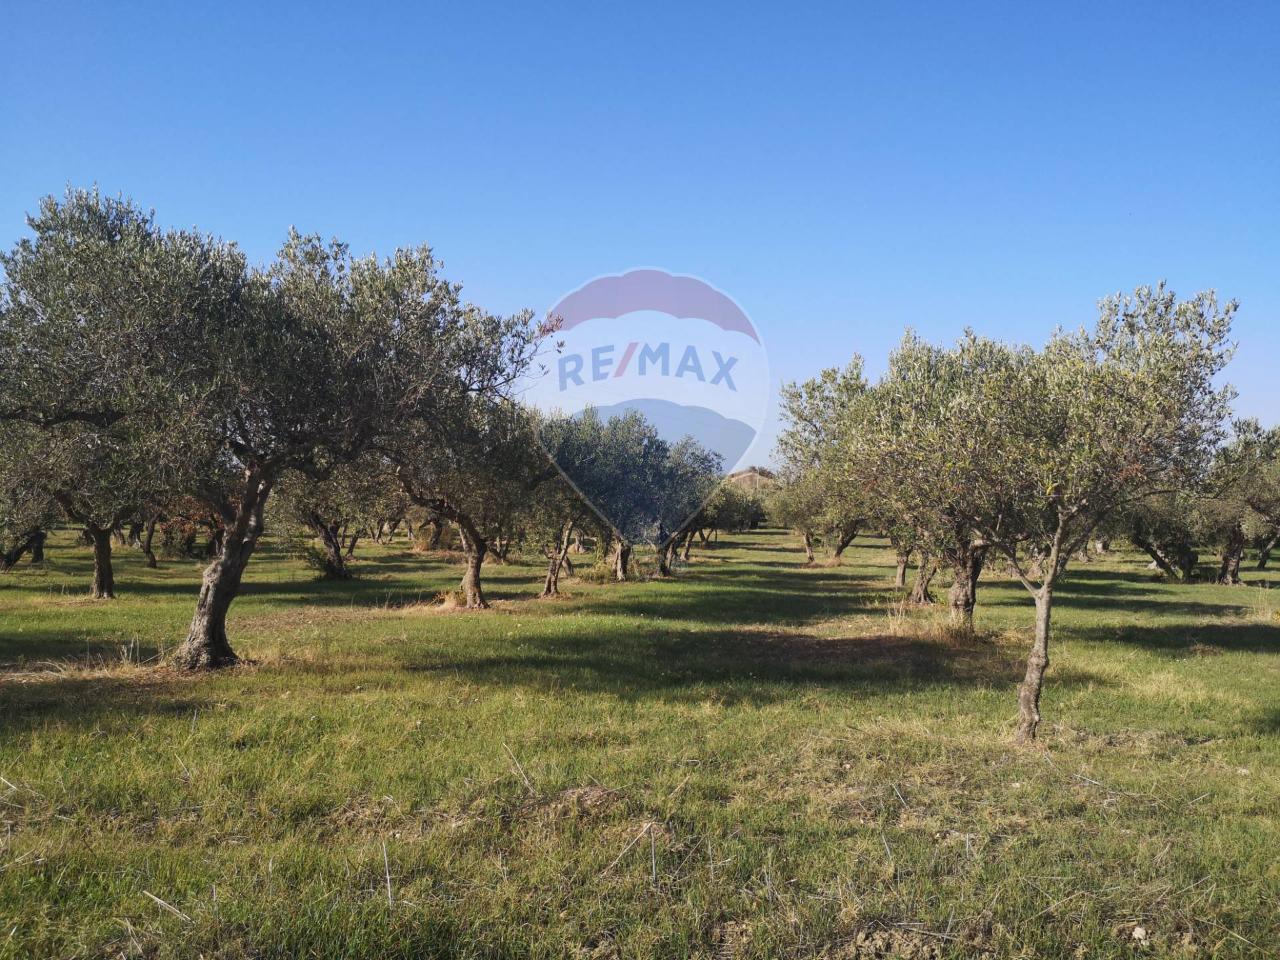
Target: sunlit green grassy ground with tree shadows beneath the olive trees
x: 757, y: 760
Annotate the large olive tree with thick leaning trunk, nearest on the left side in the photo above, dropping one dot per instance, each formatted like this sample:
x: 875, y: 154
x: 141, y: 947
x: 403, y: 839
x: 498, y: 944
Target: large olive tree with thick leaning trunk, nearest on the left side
x: 327, y: 356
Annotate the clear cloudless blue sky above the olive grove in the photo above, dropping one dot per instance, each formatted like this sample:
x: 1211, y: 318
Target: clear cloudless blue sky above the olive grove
x: 842, y: 172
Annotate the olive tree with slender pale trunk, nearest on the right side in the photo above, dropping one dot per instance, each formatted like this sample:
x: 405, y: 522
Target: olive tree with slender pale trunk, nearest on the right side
x: 1057, y: 441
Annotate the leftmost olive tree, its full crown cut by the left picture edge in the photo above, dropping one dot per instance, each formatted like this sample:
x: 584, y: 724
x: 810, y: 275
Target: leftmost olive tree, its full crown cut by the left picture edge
x: 98, y: 313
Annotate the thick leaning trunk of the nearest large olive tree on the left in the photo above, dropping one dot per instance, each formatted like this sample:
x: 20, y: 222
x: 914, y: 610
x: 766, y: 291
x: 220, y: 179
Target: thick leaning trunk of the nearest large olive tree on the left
x: 207, y: 646
